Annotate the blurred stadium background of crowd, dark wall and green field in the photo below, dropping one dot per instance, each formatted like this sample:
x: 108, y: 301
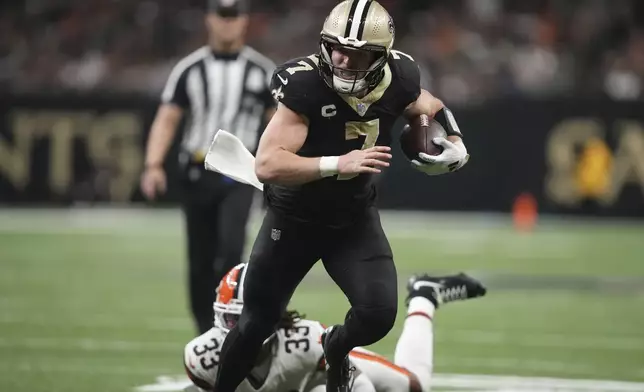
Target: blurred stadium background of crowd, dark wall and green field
x: 549, y: 212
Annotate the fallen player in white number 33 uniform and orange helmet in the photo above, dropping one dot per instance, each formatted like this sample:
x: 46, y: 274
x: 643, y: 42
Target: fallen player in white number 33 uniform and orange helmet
x: 292, y: 359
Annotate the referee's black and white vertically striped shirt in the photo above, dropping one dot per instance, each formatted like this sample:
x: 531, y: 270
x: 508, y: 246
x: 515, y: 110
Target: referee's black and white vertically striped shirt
x: 221, y: 91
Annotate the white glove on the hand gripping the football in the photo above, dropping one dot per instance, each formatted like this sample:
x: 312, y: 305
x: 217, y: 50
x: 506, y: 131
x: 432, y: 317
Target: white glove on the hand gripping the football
x: 453, y: 157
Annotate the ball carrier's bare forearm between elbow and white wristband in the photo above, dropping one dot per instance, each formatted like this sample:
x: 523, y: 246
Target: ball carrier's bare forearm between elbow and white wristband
x: 282, y: 167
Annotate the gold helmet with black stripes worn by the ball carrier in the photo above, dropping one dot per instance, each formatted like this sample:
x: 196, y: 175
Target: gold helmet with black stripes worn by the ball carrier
x: 360, y: 25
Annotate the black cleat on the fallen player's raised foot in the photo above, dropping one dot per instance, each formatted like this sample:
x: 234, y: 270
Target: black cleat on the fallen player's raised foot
x: 444, y: 289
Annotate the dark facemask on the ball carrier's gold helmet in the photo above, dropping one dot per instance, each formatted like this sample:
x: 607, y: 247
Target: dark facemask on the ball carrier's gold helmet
x: 351, y: 81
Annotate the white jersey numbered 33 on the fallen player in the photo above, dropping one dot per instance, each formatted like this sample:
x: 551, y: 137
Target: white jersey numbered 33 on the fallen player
x: 286, y: 364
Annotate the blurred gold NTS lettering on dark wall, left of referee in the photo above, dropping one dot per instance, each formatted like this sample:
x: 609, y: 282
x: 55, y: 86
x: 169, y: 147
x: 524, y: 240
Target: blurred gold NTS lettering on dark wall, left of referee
x: 111, y: 140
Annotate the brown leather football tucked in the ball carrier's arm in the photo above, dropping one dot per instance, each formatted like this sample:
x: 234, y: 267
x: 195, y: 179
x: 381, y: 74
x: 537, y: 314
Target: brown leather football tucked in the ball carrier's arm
x: 418, y: 135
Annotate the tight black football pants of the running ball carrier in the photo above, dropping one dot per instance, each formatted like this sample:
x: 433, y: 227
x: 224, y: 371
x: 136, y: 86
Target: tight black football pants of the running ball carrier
x: 358, y: 258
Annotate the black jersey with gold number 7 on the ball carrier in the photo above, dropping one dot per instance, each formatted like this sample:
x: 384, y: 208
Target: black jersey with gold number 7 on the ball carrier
x: 339, y: 124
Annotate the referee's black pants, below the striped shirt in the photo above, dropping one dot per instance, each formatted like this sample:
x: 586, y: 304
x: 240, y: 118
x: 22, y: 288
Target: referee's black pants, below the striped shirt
x: 216, y: 210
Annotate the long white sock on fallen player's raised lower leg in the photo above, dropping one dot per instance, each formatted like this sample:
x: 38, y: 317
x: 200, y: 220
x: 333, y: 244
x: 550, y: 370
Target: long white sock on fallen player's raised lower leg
x: 415, y: 347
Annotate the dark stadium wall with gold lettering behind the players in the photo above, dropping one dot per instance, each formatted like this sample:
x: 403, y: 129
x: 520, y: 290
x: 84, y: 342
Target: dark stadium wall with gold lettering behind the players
x: 576, y: 156
